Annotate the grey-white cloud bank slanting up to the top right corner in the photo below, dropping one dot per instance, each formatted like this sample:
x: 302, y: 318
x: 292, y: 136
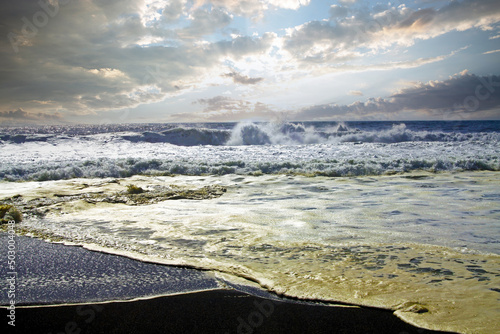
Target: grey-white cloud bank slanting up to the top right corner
x: 351, y: 29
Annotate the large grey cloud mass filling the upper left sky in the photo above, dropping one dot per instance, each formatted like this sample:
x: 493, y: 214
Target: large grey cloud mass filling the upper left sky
x: 90, y: 56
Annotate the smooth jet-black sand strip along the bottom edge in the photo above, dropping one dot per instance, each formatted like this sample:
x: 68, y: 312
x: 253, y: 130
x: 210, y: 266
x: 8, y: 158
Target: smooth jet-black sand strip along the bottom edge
x: 220, y: 311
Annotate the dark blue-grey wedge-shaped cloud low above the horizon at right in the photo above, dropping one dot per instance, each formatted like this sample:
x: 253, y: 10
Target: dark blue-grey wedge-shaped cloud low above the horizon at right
x: 461, y: 96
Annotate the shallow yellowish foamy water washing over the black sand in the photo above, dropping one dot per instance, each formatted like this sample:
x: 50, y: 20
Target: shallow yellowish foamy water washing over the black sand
x: 428, y: 239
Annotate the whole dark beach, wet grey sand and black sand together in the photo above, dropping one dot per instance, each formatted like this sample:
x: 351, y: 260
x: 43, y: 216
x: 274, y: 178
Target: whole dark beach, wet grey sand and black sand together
x: 183, y: 308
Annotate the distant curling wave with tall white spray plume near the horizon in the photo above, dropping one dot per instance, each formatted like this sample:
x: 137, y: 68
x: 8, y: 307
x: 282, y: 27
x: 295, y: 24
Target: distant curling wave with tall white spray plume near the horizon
x: 248, y: 133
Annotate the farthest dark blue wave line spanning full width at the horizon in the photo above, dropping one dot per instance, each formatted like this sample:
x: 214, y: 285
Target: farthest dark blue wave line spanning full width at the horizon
x: 250, y: 133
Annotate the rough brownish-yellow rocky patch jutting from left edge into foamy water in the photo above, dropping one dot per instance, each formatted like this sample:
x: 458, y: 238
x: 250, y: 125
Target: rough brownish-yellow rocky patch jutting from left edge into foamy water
x: 134, y: 191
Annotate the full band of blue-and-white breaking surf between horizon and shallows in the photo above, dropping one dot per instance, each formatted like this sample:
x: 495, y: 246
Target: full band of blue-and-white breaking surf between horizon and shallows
x: 330, y: 149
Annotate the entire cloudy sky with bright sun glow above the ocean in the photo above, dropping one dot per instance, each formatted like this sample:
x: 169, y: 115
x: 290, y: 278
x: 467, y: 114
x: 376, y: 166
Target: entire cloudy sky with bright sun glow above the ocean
x: 127, y: 61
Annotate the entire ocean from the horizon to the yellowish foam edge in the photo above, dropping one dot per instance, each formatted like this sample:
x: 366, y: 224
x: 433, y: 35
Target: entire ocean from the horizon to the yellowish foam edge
x: 398, y: 215
